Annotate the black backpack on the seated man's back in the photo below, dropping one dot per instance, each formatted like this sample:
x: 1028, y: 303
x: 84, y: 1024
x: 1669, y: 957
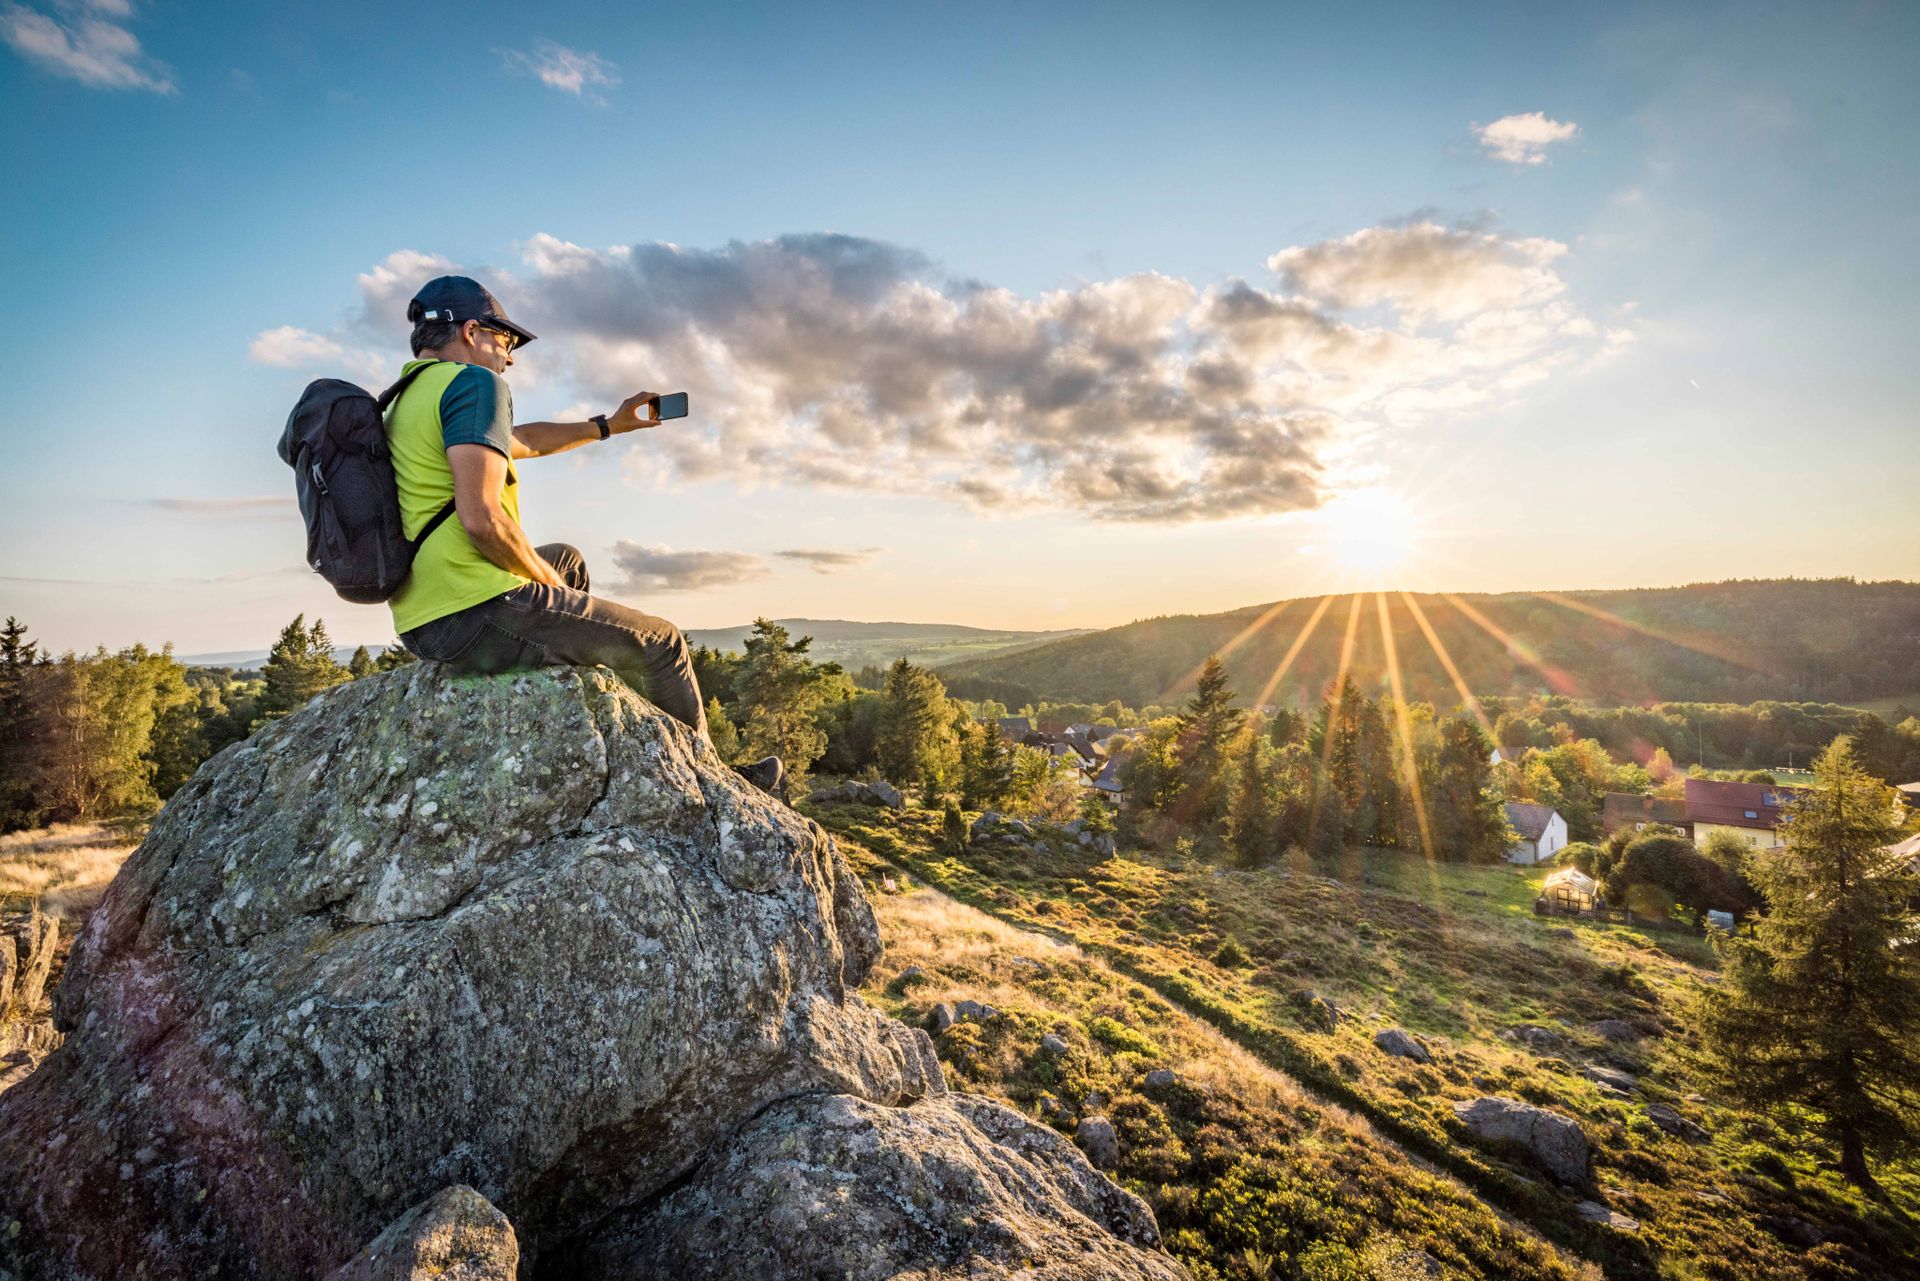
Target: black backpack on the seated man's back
x: 335, y: 441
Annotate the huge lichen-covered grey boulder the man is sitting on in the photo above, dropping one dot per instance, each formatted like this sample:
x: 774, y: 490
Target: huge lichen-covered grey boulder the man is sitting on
x: 521, y: 934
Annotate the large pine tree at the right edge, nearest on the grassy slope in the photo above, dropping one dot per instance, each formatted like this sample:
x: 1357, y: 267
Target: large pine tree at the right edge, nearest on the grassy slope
x: 1821, y: 1009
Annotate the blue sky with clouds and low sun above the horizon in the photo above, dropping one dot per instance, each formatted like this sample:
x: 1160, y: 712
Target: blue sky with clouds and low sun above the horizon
x: 1673, y: 349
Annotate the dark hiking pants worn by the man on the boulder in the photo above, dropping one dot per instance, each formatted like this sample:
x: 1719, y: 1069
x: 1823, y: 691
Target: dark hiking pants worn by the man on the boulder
x: 537, y: 625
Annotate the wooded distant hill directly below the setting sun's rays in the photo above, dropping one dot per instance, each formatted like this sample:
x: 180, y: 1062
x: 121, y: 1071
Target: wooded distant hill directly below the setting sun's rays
x: 1739, y: 642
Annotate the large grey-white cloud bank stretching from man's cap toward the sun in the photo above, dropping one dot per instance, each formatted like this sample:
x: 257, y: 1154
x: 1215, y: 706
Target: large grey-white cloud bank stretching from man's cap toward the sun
x: 850, y: 364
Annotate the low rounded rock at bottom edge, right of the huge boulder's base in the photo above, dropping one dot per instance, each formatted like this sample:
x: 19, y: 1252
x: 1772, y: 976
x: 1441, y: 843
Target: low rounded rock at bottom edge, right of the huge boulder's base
x: 828, y: 1186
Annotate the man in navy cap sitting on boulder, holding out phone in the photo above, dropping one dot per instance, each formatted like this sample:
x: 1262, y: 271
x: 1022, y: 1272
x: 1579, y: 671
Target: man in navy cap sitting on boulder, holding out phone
x: 483, y: 598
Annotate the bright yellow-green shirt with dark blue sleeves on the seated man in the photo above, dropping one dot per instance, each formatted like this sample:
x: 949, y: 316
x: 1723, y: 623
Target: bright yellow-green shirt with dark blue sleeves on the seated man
x: 450, y: 404
